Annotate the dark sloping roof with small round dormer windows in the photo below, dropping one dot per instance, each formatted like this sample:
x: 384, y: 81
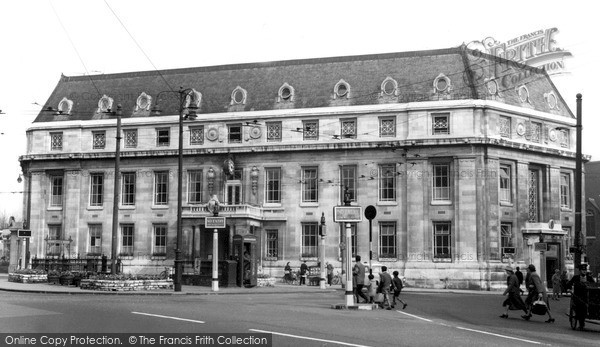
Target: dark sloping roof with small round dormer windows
x: 459, y: 73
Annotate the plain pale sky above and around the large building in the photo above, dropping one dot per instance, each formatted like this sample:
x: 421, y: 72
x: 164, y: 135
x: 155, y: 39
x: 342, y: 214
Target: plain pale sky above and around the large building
x: 40, y: 40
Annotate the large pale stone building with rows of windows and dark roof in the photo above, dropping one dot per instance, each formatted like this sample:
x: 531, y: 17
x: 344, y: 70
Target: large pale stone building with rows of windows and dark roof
x: 469, y: 160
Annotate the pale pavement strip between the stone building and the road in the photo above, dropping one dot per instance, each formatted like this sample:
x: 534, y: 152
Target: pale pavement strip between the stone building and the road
x: 278, y: 288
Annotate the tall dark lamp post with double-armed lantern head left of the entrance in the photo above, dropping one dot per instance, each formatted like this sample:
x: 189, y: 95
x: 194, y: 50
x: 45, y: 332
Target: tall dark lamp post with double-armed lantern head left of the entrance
x: 183, y: 94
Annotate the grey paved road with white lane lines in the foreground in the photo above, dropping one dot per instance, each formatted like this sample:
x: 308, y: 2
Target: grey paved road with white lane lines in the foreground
x: 295, y: 319
